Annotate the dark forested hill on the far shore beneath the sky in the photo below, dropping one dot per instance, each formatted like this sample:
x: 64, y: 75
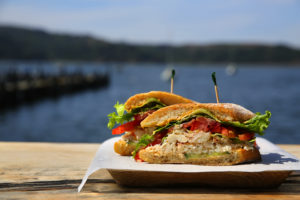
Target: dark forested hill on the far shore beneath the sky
x: 21, y: 43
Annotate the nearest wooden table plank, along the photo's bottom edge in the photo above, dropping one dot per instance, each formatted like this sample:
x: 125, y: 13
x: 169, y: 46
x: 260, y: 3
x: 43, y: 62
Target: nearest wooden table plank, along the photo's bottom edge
x: 113, y: 191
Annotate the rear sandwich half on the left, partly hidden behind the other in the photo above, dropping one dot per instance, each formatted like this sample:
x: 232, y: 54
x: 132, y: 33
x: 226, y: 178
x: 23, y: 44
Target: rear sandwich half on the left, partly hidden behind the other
x: 137, y: 108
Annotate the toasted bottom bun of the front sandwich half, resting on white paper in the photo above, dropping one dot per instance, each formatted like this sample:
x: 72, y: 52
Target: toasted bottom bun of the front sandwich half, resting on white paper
x: 237, y: 156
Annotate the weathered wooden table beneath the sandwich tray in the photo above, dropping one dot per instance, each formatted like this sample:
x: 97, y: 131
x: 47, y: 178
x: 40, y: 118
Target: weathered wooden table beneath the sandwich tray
x: 54, y: 171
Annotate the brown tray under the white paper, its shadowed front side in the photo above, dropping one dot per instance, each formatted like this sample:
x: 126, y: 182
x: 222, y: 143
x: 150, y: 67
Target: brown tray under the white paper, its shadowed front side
x: 266, y: 179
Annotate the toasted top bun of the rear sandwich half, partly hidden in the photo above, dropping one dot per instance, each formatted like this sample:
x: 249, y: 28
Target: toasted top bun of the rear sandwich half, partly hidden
x: 165, y: 97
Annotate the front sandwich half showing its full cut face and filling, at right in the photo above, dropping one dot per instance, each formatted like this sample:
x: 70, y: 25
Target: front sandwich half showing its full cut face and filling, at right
x: 202, y: 134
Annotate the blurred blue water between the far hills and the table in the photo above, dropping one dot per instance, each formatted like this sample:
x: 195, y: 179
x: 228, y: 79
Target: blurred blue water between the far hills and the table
x: 81, y: 117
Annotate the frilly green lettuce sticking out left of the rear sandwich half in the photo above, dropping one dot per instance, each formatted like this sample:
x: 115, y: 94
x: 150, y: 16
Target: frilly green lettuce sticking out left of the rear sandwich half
x: 119, y: 117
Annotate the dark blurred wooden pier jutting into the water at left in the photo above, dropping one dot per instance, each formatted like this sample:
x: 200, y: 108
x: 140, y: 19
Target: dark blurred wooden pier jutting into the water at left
x: 16, y: 88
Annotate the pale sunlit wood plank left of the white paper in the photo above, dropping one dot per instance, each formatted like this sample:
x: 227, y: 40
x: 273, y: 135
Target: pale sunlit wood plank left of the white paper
x: 27, y: 162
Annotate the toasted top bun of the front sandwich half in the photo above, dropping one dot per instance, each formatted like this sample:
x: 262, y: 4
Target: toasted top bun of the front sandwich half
x: 223, y: 111
